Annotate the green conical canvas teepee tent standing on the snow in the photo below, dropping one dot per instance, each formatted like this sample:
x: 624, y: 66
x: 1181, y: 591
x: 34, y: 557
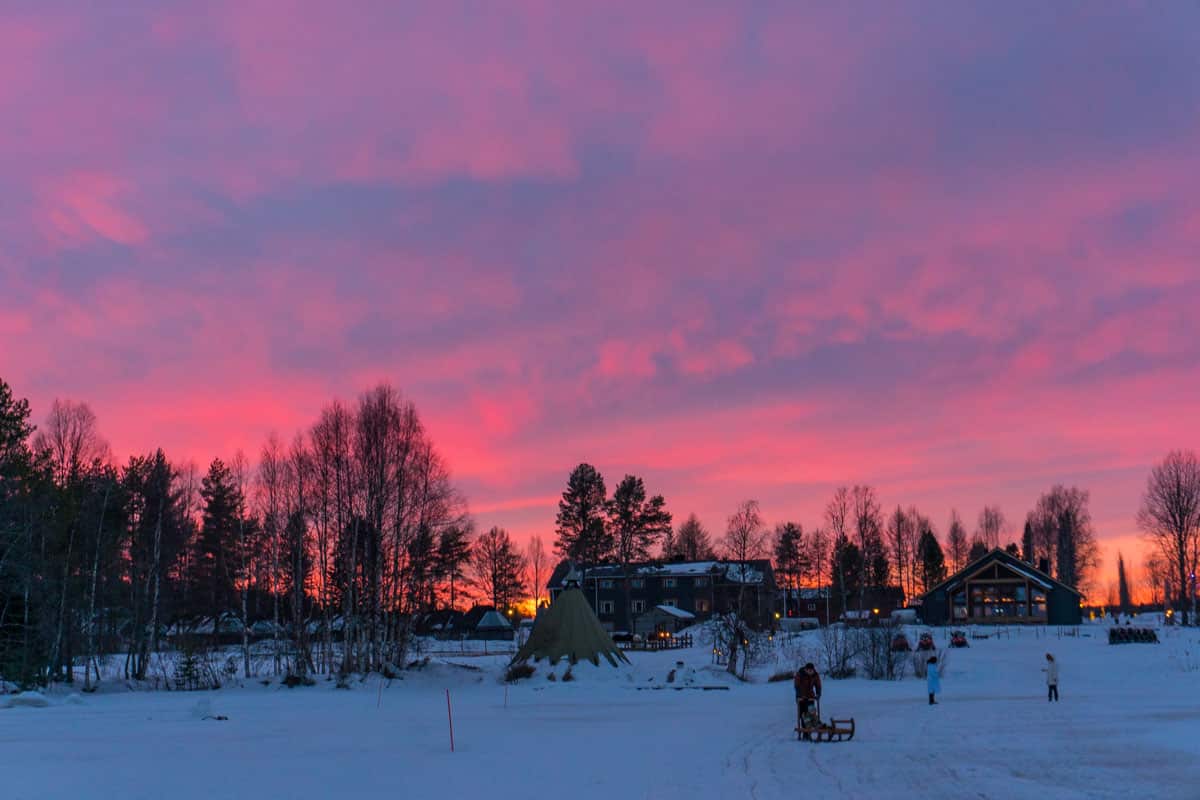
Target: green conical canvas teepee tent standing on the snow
x: 569, y: 629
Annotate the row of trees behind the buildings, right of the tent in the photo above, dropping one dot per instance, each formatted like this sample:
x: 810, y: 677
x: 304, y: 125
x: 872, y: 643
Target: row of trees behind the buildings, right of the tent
x: 860, y: 548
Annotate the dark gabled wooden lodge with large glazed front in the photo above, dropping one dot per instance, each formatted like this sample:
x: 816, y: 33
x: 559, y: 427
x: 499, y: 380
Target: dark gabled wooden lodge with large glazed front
x: 1001, y: 588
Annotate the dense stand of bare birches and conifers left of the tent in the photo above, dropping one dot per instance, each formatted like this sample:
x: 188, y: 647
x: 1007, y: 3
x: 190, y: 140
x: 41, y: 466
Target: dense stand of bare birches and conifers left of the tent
x: 345, y: 534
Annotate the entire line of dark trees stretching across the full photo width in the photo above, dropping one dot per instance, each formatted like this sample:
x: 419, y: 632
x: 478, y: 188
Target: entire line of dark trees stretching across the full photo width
x: 333, y: 544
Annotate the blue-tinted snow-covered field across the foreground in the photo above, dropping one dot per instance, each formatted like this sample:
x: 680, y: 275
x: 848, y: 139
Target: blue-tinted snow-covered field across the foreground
x: 1129, y: 726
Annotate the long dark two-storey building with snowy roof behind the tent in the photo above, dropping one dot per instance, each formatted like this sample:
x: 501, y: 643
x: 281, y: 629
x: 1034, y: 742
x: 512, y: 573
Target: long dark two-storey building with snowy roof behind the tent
x: 701, y: 588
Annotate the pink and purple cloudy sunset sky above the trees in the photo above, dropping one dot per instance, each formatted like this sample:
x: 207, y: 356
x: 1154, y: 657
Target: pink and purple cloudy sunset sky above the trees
x: 949, y: 250
